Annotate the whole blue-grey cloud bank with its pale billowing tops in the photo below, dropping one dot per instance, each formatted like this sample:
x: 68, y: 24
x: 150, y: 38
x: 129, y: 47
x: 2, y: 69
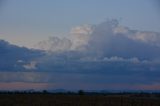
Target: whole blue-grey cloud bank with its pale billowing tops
x: 103, y: 54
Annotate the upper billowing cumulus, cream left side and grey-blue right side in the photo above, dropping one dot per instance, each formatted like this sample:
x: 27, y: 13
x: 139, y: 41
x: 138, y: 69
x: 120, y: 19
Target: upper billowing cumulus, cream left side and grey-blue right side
x: 107, y: 39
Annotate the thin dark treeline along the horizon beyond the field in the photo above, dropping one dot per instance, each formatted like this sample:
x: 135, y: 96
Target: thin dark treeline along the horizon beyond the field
x: 82, y: 92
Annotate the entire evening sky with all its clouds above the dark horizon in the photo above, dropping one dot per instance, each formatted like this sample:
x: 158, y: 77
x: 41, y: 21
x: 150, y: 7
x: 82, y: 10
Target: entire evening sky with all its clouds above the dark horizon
x: 80, y: 44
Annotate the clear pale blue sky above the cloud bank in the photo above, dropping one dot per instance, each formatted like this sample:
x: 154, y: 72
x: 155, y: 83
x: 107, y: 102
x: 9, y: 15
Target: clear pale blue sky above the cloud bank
x: 22, y: 20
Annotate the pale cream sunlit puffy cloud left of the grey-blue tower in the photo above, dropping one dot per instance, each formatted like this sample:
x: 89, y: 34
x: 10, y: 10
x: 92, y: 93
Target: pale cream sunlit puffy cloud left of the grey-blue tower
x: 79, y: 37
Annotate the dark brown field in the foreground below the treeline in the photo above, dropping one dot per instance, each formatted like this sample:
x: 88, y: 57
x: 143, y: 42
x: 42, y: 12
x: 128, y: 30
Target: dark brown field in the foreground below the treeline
x: 77, y: 100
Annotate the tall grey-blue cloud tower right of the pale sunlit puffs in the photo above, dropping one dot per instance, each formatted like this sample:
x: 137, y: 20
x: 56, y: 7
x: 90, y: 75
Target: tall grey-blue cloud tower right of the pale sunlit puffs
x: 105, y: 42
